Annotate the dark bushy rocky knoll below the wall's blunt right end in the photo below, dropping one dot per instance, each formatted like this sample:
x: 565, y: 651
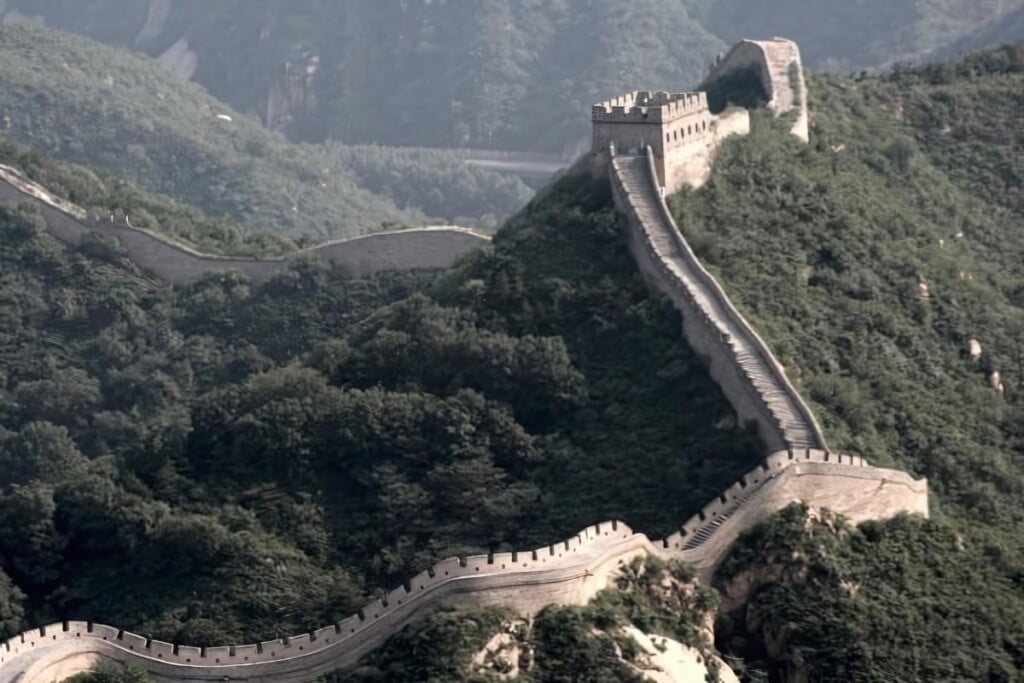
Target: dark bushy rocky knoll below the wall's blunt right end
x: 806, y: 597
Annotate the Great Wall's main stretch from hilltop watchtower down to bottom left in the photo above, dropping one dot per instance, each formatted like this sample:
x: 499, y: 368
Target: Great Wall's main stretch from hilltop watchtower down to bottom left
x: 574, y: 571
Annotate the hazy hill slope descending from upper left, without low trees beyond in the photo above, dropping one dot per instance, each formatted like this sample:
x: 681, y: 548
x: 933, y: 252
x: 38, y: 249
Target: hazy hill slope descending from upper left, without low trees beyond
x: 89, y: 104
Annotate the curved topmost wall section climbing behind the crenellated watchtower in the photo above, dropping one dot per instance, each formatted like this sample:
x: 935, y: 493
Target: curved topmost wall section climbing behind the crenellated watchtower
x: 779, y: 67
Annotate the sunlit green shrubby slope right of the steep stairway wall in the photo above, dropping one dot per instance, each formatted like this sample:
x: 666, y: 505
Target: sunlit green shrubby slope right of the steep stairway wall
x: 871, y: 259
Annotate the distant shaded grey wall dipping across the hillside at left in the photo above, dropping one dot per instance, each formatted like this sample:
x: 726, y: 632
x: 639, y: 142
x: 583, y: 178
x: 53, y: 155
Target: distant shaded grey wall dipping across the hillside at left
x: 180, y: 265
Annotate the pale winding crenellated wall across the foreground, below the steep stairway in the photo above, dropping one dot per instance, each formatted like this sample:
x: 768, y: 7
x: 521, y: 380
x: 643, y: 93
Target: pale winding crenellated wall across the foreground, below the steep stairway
x: 568, y: 573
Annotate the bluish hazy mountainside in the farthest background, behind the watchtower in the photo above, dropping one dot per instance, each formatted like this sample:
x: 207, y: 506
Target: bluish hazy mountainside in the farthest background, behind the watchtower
x: 496, y: 74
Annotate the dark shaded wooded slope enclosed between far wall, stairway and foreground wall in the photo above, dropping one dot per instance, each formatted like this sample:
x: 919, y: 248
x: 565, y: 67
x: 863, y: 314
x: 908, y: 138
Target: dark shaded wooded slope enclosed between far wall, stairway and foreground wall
x: 261, y: 484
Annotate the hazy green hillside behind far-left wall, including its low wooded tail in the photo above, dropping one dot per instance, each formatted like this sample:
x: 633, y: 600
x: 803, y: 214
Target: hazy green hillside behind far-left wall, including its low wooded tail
x: 89, y: 104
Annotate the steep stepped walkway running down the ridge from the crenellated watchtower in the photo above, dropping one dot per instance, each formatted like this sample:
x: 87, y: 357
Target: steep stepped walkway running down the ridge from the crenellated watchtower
x: 754, y: 360
